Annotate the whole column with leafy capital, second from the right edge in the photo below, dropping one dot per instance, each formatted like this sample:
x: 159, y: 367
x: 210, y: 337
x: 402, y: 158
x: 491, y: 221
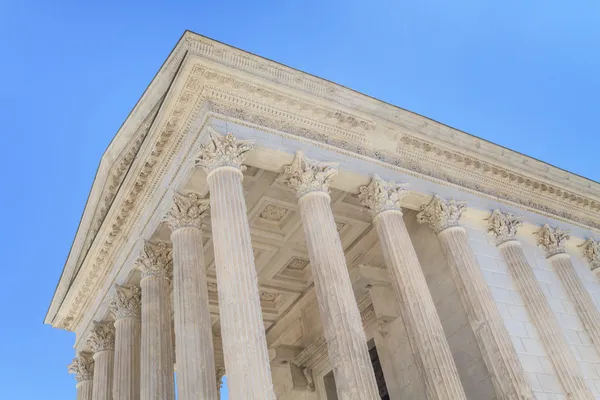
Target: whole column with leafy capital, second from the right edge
x: 553, y: 242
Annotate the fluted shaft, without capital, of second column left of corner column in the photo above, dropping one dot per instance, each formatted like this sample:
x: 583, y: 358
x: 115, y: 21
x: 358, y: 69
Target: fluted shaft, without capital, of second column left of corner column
x: 157, y: 369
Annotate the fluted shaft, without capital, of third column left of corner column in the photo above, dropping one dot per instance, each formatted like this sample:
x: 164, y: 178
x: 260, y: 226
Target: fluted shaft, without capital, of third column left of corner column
x: 127, y: 359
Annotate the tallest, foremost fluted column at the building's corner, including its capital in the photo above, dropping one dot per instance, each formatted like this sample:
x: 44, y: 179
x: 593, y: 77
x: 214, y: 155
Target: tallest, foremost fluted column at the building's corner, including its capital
x: 242, y: 327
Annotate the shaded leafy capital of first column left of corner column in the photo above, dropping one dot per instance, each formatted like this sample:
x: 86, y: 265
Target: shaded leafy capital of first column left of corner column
x: 187, y: 211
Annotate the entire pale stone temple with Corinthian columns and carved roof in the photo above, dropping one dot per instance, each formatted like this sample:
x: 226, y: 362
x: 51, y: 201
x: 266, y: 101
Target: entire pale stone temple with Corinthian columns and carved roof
x: 309, y: 242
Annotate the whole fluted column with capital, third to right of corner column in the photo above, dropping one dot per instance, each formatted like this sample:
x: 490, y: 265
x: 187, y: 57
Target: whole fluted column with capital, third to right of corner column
x: 498, y: 352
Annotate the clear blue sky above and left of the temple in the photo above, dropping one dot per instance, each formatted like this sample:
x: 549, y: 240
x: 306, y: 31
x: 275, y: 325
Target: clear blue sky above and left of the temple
x: 525, y: 76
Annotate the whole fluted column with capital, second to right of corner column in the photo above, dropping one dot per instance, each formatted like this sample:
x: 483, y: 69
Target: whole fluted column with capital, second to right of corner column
x: 425, y: 331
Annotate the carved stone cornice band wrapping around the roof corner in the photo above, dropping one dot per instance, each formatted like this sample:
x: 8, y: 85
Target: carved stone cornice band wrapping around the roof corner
x: 233, y: 85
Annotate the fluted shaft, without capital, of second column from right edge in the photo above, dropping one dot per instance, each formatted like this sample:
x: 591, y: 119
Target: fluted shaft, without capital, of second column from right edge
x: 579, y: 295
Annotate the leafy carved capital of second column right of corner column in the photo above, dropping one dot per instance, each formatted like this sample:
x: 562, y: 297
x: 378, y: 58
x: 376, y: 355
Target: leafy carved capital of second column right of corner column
x: 379, y: 195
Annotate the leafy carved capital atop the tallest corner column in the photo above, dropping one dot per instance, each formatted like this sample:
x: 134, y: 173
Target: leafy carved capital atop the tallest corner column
x: 223, y: 151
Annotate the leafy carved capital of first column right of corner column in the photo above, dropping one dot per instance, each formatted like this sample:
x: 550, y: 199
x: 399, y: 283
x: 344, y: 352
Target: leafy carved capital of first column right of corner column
x: 305, y: 175
